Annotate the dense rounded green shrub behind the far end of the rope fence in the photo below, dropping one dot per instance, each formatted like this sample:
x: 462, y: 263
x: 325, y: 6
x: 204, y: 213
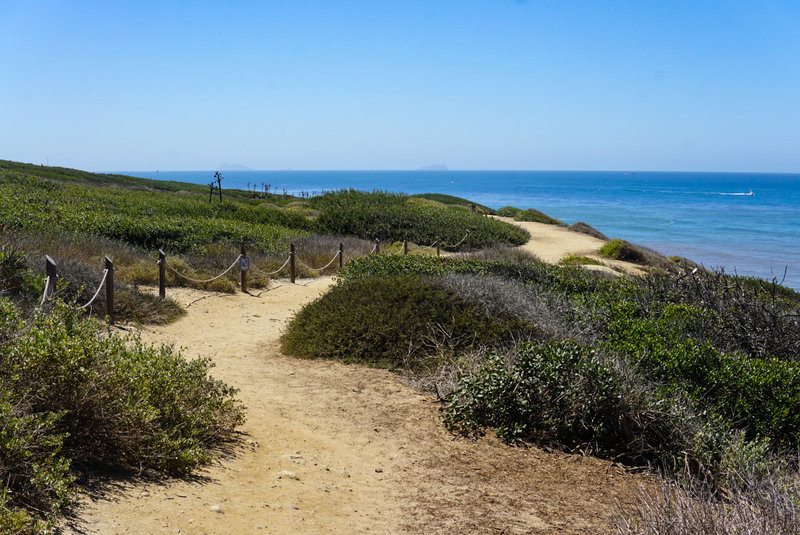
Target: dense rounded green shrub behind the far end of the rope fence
x: 391, y: 217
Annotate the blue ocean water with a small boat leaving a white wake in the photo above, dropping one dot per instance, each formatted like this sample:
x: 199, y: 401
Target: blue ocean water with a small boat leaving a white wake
x: 706, y: 217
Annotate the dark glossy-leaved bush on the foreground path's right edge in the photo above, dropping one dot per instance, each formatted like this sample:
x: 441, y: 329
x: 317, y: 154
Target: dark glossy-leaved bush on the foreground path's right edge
x: 563, y: 394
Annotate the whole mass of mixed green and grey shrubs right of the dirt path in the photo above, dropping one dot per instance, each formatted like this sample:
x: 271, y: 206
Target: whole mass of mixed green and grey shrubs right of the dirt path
x: 697, y: 375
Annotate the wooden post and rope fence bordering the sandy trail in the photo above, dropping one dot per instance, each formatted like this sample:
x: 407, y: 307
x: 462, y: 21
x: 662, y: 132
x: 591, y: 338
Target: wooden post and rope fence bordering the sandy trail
x: 107, y: 282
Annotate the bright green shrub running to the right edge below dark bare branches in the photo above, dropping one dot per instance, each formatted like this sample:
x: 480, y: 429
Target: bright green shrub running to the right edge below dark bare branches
x: 761, y: 396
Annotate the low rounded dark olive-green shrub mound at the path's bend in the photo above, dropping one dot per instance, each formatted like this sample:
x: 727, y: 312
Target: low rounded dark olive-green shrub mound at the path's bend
x: 390, y: 321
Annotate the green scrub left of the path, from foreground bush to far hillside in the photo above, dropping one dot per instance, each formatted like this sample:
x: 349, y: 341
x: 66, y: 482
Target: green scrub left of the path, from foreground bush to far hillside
x: 75, y: 398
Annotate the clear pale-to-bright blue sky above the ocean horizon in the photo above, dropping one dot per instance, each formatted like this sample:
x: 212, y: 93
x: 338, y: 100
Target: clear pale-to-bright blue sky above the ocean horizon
x: 384, y: 84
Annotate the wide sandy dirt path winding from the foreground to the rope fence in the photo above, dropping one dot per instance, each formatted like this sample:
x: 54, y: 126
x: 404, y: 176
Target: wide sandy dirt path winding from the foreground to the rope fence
x: 333, y: 448
